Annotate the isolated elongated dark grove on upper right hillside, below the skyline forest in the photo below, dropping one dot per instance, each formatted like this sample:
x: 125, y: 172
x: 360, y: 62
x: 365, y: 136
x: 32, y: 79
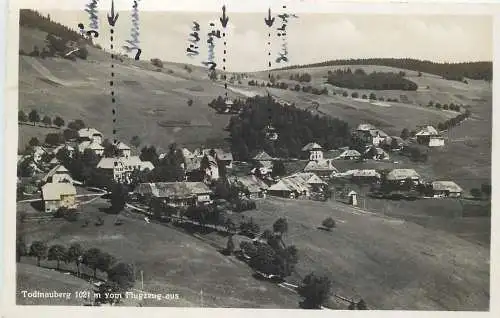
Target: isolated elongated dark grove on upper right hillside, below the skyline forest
x: 375, y: 80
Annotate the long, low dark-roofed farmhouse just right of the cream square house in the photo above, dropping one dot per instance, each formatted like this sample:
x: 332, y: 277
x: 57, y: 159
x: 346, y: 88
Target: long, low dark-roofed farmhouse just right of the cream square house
x: 175, y: 194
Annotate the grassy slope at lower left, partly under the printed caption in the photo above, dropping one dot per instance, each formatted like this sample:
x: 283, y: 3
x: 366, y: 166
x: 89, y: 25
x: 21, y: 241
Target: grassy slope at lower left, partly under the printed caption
x: 172, y: 261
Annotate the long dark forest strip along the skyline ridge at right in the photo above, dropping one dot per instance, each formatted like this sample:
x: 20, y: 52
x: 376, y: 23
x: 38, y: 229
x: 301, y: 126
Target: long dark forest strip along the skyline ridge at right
x: 474, y: 70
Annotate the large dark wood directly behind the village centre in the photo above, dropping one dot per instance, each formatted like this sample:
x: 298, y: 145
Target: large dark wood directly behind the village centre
x: 295, y: 127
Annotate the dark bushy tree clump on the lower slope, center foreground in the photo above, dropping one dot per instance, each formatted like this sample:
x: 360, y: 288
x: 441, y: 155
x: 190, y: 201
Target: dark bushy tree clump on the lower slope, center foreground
x: 272, y: 257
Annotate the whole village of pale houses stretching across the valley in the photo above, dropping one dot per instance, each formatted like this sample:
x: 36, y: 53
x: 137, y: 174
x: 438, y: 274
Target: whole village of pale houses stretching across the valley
x: 59, y: 188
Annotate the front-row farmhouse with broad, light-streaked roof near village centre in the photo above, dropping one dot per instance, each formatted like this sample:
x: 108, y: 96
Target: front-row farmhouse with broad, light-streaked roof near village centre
x: 299, y: 185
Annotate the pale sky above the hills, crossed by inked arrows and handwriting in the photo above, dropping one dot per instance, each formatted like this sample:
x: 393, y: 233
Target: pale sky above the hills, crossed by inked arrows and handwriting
x: 312, y: 37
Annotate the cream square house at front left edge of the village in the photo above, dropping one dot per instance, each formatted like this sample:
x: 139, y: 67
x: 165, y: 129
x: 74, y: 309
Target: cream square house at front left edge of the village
x: 57, y: 195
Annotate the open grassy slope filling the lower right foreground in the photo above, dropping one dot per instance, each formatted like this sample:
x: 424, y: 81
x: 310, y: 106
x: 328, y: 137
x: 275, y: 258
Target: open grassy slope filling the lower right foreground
x: 391, y: 263
